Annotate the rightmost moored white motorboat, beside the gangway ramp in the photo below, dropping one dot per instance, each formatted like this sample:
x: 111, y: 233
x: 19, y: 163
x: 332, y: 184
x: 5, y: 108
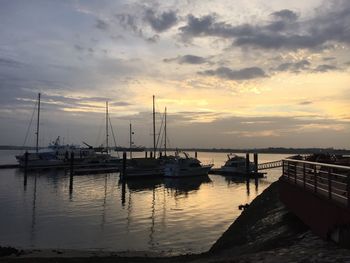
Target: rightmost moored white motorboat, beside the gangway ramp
x: 236, y: 165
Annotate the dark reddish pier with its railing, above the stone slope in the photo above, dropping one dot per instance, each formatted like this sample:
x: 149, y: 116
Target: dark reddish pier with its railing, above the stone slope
x: 319, y: 194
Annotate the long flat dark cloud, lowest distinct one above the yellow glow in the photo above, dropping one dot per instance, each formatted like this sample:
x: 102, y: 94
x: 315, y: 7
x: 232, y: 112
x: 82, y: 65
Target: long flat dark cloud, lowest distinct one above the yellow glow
x: 242, y: 74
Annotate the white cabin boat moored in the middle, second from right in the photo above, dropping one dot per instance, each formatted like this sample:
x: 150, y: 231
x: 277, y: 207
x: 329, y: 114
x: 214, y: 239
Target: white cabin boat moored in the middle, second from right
x: 185, y: 166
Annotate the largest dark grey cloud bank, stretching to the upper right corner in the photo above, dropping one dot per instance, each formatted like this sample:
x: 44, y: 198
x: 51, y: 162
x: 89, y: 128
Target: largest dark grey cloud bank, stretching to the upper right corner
x: 286, y: 31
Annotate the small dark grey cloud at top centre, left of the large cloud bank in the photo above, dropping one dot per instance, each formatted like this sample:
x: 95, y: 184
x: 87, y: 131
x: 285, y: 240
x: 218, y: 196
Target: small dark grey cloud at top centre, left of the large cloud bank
x: 160, y: 22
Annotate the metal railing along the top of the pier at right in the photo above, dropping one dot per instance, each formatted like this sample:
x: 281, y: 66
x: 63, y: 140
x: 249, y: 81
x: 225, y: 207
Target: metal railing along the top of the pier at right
x: 325, y: 180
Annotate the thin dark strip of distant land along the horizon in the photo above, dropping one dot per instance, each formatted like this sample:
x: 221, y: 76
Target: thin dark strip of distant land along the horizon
x: 272, y: 150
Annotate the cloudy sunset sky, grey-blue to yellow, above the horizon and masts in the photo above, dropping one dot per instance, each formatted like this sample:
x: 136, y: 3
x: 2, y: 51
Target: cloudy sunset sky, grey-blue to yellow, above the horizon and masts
x: 232, y: 74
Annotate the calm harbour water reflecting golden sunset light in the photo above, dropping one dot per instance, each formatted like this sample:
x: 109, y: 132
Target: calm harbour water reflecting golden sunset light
x: 175, y: 216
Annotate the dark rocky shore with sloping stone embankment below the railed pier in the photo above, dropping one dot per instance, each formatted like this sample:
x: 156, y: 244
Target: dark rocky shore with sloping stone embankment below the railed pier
x: 265, y: 232
